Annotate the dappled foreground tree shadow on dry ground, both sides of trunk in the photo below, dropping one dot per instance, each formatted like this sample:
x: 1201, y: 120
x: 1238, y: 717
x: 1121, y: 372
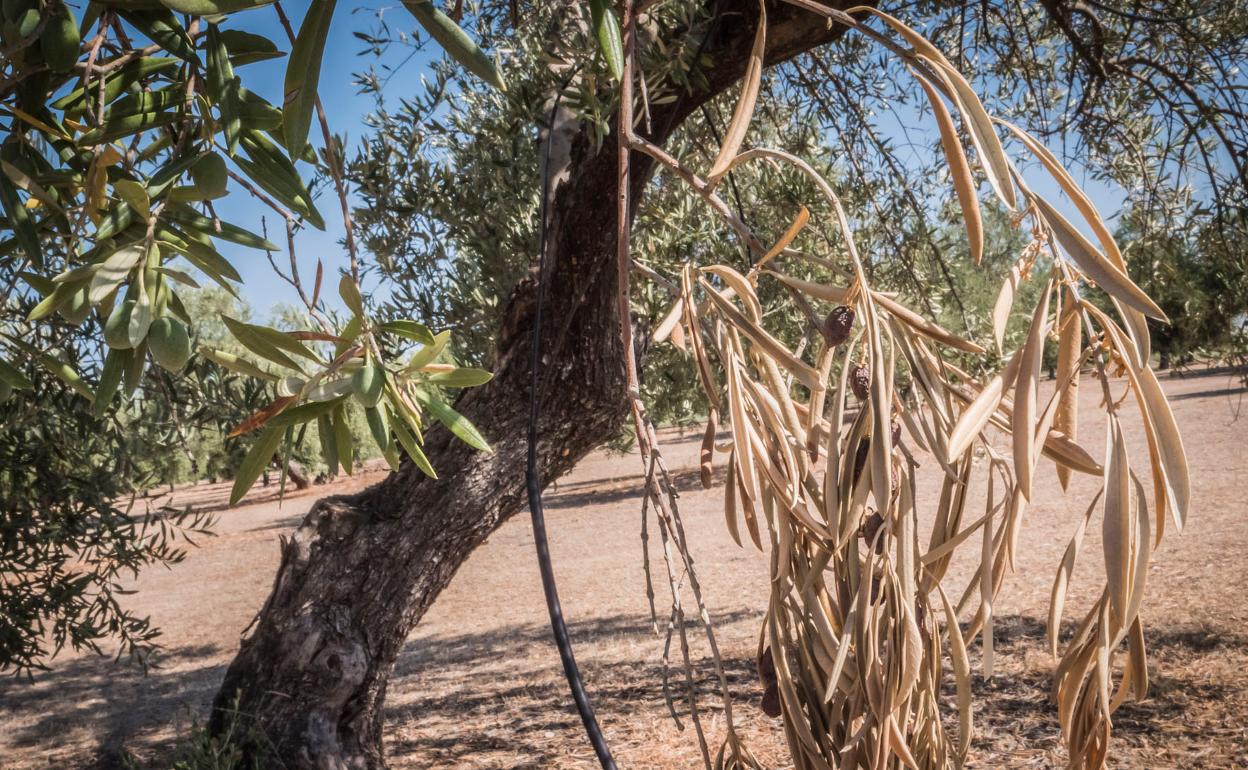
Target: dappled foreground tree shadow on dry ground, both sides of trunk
x: 499, y: 699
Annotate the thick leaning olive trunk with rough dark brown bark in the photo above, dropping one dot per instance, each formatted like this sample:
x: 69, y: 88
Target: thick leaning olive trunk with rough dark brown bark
x: 361, y: 571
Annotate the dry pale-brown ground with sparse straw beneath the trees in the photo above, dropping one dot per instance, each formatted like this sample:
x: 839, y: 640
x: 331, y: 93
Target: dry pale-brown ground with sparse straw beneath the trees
x: 480, y: 685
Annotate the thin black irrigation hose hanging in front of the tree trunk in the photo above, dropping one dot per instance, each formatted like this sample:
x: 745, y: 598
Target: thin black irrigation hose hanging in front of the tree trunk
x: 535, y: 487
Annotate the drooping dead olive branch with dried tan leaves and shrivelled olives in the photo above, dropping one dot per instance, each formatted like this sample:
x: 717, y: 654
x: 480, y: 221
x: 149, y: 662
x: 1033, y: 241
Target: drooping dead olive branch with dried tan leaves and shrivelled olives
x: 826, y: 437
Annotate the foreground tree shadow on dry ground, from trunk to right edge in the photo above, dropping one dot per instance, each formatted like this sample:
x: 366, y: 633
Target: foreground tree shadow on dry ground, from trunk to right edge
x: 487, y: 699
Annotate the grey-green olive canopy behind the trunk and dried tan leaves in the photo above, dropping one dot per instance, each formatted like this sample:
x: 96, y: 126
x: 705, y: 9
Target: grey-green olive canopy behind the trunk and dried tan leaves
x: 450, y: 227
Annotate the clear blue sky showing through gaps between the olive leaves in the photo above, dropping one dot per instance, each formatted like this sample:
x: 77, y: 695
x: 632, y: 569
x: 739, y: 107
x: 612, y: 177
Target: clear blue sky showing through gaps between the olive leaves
x: 348, y: 110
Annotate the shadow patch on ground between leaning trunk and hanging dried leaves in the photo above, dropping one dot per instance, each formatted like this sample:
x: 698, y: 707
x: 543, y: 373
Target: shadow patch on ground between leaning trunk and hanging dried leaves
x: 502, y: 694
